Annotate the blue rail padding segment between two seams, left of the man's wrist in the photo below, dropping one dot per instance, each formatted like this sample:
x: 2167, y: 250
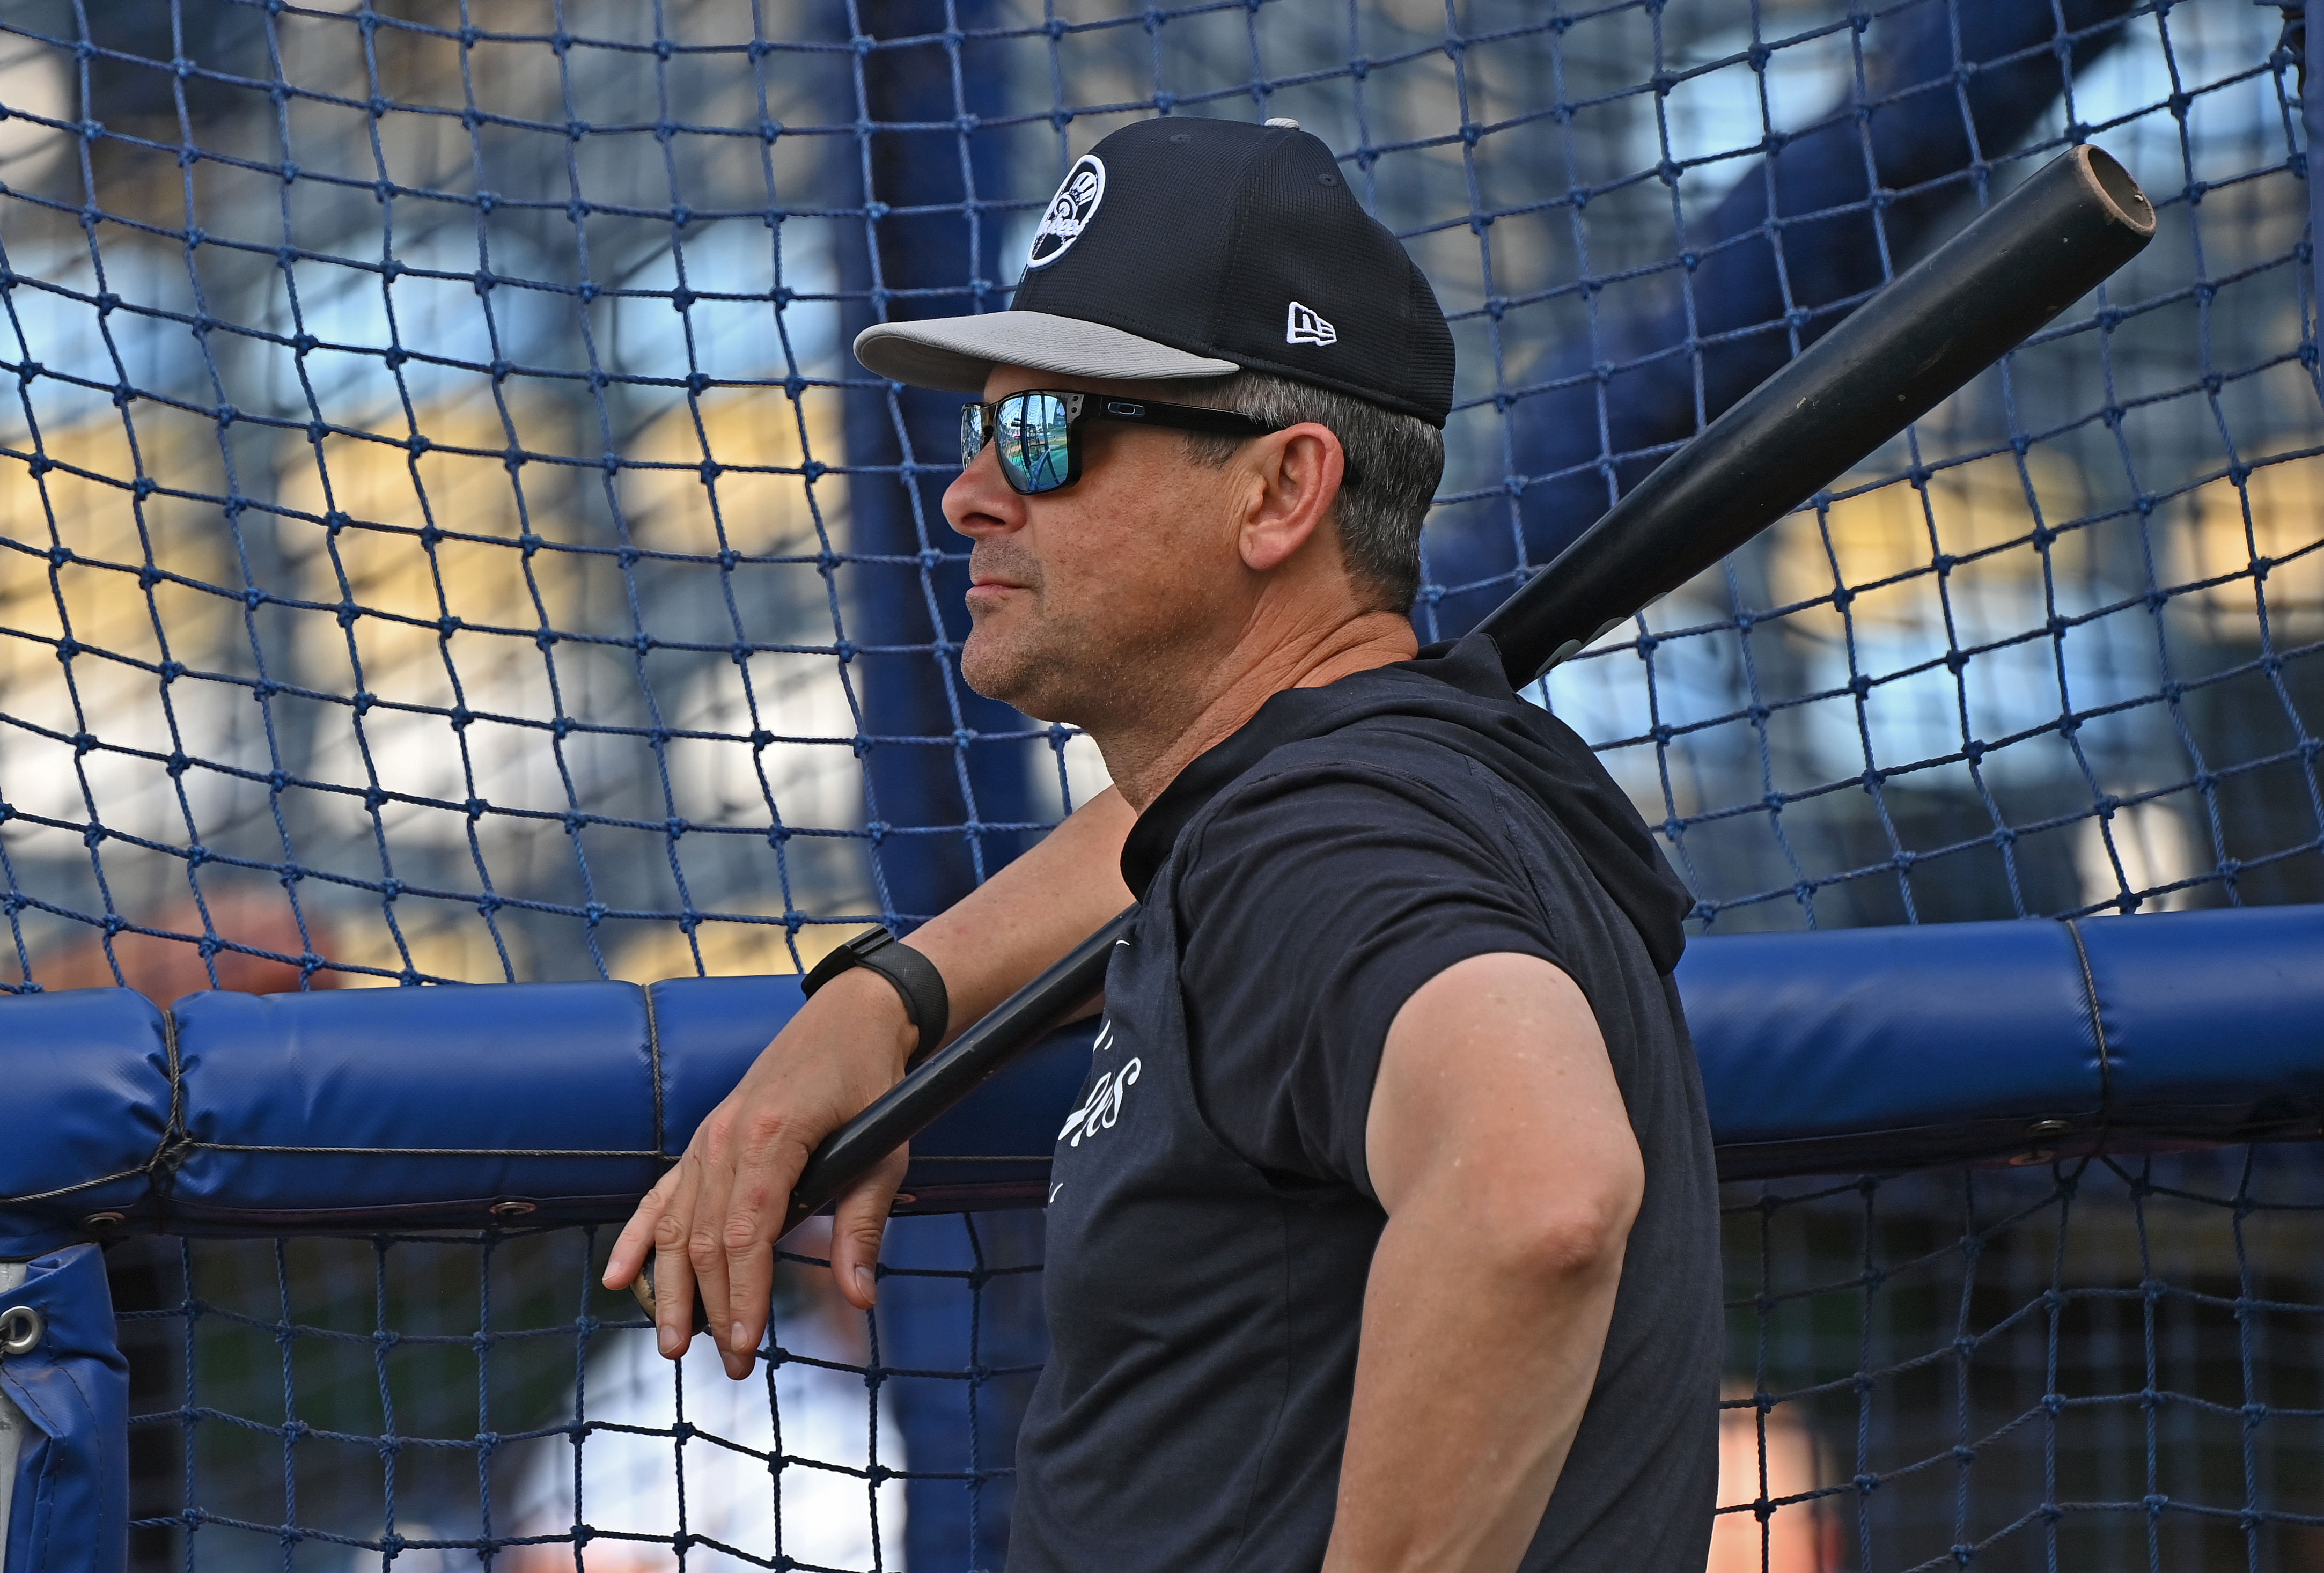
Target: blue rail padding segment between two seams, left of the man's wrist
x: 524, y: 1093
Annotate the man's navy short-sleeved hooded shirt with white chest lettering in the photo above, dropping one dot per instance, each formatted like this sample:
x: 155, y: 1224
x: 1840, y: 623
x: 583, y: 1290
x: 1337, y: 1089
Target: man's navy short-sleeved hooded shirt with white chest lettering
x: 1212, y: 1219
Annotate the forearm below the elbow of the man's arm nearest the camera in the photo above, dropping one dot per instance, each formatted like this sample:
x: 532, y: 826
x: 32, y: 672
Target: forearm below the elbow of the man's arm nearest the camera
x: 1472, y: 1377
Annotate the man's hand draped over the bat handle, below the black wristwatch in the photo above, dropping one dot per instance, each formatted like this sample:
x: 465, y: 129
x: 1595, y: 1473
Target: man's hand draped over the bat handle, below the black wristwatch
x: 715, y: 1219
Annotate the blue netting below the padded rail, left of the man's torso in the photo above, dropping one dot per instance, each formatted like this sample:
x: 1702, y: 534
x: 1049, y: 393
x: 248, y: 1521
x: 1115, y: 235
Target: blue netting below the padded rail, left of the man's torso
x: 424, y: 1402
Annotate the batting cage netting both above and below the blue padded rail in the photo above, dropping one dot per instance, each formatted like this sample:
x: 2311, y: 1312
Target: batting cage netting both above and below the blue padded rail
x: 447, y: 540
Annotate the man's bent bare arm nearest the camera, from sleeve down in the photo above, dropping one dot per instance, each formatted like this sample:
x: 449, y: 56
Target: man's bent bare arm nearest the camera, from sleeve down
x: 1500, y: 1147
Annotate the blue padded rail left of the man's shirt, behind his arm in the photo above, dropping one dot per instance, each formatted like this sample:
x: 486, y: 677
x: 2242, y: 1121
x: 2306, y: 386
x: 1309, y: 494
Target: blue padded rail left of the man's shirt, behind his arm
x: 424, y: 1109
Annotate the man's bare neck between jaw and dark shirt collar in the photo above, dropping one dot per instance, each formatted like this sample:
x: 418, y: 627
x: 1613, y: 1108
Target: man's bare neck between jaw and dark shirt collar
x: 1149, y: 754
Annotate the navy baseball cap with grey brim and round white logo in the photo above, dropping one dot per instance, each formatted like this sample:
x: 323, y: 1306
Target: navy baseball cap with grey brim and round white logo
x: 1184, y: 247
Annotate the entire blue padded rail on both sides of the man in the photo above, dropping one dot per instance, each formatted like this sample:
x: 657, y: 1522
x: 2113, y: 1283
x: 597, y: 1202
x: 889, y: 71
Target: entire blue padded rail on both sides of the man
x: 559, y: 1102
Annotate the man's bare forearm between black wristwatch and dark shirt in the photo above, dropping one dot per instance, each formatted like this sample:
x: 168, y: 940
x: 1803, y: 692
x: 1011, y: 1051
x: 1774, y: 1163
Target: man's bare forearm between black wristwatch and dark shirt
x: 1024, y: 919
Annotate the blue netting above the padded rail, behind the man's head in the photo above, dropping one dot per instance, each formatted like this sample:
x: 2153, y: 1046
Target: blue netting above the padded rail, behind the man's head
x: 447, y: 540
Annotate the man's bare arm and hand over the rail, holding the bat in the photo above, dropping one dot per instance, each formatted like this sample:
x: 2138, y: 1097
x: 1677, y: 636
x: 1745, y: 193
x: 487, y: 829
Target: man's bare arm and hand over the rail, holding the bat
x: 717, y: 1214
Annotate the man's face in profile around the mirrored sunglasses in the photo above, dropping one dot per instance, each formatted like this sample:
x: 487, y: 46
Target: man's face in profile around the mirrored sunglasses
x: 1091, y: 598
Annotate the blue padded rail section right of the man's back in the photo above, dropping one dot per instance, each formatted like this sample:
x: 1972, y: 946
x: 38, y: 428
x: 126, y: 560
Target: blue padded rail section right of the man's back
x: 1893, y: 1049
